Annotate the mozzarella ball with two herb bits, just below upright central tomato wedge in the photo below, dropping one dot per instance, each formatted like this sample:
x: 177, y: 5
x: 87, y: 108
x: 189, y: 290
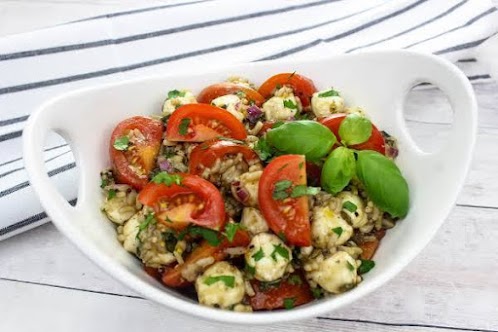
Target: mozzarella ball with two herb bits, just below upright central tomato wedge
x: 269, y: 257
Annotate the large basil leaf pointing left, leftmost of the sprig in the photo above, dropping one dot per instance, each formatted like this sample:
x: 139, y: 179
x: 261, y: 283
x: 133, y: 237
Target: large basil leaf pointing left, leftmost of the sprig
x: 305, y: 137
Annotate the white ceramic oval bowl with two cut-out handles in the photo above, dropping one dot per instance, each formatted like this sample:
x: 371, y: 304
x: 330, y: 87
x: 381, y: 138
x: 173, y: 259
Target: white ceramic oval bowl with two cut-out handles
x: 377, y: 81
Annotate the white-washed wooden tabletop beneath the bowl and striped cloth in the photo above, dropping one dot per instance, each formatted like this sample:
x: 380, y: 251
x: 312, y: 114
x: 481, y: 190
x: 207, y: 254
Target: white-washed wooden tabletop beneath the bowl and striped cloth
x: 47, y: 284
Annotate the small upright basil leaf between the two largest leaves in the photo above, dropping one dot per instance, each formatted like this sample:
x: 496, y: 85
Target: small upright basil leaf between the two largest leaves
x: 338, y: 170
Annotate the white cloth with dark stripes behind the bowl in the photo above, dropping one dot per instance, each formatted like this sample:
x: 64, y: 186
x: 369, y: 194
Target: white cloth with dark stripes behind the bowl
x: 195, y: 35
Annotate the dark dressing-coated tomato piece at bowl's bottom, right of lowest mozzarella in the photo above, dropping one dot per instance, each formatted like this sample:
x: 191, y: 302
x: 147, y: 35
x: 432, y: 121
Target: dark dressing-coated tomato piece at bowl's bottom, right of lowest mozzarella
x: 295, y: 290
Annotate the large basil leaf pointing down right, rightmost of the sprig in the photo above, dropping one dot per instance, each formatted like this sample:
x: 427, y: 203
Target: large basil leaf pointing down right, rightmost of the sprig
x: 383, y: 182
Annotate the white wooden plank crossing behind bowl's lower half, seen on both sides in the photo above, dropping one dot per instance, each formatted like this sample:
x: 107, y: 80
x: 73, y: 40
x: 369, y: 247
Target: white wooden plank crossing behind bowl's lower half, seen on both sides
x: 449, y: 284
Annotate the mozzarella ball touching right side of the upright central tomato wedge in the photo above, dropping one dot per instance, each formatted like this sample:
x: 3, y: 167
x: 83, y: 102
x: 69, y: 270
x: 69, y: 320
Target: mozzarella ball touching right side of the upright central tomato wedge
x: 329, y: 229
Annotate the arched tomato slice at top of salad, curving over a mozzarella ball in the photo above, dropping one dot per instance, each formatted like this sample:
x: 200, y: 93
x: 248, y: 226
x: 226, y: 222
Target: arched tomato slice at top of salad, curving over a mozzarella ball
x: 303, y: 87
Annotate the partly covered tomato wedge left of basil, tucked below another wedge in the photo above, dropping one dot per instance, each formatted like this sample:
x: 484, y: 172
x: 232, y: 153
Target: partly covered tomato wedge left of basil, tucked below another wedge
x: 205, y: 155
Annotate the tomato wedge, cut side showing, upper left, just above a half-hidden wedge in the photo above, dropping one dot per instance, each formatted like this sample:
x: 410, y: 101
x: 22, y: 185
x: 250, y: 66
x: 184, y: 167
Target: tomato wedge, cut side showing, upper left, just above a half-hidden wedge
x: 202, y: 122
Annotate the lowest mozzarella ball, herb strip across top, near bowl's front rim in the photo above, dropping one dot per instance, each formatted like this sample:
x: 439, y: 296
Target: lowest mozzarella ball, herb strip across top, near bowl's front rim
x: 221, y: 285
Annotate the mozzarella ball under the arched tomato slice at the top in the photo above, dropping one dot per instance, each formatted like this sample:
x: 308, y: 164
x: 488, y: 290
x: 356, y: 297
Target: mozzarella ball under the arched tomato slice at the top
x: 283, y: 106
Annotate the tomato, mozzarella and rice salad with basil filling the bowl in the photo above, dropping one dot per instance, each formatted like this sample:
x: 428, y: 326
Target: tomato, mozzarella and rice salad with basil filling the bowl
x: 251, y: 199
